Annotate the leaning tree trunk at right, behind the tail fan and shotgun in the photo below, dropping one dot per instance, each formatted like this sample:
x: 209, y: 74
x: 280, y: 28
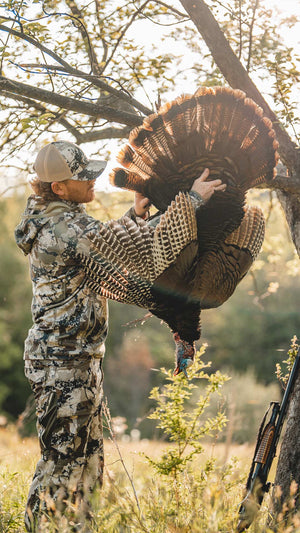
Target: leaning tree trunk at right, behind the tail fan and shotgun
x: 233, y: 71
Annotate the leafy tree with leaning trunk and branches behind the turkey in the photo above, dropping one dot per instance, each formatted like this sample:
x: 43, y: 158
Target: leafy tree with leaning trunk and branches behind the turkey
x: 81, y: 70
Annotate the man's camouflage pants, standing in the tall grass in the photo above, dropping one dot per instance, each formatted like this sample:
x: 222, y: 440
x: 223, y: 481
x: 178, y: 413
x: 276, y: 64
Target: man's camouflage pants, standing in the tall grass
x: 68, y: 398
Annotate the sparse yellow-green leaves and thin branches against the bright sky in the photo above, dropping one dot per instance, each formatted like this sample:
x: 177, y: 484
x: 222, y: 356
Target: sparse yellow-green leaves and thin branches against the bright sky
x: 97, y: 62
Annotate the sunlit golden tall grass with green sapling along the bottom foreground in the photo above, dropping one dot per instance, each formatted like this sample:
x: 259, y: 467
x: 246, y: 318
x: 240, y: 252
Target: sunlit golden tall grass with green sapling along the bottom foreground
x: 181, y: 485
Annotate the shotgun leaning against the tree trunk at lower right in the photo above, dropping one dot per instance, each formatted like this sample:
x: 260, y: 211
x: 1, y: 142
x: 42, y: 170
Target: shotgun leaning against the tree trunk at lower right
x: 265, y: 451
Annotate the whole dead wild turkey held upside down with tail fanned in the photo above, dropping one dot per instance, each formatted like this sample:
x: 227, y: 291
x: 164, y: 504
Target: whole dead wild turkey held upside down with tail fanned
x: 216, y: 128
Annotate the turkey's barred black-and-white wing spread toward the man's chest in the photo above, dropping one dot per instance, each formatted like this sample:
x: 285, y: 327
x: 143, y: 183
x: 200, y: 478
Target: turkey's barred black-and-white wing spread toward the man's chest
x: 123, y: 261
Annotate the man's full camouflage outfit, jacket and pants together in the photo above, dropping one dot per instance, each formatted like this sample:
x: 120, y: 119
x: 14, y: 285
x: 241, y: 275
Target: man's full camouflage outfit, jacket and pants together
x: 63, y: 359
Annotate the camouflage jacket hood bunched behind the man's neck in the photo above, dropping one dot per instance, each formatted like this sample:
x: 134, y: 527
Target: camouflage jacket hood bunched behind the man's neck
x: 35, y: 216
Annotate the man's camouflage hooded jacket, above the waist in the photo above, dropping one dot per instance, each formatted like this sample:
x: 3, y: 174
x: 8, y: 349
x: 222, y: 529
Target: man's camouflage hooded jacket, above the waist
x: 69, y: 320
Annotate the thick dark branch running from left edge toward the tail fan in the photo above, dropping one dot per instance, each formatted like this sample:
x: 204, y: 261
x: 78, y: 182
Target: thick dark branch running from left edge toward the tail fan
x: 67, y: 103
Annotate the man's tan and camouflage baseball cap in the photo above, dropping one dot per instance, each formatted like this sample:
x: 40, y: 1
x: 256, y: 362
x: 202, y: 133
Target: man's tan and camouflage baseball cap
x: 62, y: 160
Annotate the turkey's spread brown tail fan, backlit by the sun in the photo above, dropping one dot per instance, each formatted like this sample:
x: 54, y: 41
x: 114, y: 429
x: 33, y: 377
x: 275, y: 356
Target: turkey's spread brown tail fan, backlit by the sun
x: 219, y: 128
